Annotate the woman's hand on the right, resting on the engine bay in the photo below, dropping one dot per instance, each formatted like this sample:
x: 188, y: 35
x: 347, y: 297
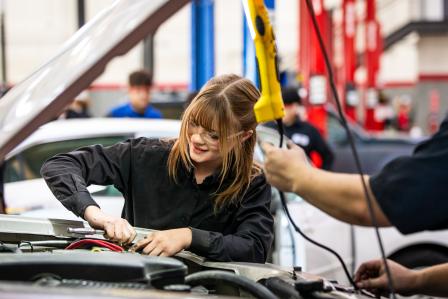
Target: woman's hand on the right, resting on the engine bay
x: 164, y: 243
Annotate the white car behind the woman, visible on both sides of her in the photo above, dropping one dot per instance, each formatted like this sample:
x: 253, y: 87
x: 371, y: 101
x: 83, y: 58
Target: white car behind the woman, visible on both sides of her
x: 353, y: 244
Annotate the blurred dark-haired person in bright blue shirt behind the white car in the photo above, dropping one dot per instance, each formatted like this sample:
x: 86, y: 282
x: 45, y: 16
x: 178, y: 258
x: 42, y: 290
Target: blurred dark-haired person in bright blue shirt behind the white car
x: 139, y: 99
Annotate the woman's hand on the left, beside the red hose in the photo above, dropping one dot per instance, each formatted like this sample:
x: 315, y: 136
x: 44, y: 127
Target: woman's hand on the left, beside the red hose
x: 115, y: 228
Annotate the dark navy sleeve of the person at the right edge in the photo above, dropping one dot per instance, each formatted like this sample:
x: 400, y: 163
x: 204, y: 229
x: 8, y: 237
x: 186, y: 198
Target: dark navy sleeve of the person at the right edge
x: 411, y: 190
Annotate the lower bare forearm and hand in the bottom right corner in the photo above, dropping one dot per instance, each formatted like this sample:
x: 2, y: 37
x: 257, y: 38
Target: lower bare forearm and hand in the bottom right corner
x: 429, y: 281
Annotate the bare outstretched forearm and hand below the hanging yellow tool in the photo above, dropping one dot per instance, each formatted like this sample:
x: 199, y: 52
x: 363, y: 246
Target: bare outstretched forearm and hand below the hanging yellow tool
x: 340, y: 195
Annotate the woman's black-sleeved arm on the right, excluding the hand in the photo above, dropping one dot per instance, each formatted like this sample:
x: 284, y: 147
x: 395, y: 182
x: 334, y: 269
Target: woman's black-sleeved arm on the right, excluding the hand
x: 254, y: 230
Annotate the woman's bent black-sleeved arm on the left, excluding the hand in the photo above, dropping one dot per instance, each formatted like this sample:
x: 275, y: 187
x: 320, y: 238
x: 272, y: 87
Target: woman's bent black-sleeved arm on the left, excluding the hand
x: 68, y: 175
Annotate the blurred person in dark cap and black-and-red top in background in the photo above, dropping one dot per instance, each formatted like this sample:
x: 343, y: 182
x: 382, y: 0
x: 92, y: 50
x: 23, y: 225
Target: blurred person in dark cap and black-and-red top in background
x: 303, y: 133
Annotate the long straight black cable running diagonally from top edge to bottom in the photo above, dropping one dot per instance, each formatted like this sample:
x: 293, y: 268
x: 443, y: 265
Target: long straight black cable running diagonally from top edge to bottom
x: 352, y: 144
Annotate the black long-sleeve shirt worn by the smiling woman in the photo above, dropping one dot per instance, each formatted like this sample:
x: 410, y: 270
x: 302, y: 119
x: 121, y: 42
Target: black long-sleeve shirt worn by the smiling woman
x: 138, y: 168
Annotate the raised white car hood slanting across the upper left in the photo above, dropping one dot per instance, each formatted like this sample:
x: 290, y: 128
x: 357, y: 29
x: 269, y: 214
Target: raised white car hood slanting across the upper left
x: 46, y: 92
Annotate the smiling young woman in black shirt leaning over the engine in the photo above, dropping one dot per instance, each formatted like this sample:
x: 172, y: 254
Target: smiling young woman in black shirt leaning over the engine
x: 202, y: 191
